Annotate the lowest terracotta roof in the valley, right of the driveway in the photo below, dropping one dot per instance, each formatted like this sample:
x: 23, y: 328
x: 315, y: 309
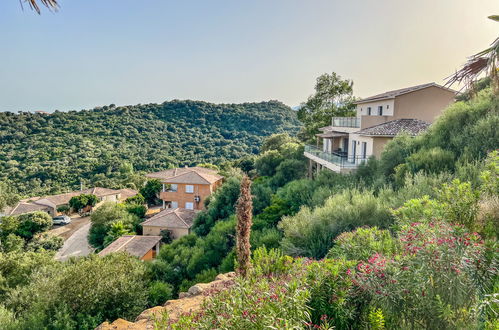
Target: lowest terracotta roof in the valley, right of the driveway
x: 134, y: 245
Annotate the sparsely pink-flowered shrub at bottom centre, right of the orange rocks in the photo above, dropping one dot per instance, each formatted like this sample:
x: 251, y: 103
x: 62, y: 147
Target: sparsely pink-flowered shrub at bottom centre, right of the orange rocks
x: 256, y: 303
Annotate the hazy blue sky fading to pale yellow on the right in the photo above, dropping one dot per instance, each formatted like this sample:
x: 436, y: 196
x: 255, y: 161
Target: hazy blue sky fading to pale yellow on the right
x: 97, y: 52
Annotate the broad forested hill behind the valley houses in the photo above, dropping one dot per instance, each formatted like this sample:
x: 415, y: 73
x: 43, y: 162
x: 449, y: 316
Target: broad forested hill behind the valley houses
x: 42, y: 153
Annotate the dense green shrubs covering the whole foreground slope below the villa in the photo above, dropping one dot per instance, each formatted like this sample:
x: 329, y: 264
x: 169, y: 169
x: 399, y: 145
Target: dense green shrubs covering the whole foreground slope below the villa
x: 380, y: 234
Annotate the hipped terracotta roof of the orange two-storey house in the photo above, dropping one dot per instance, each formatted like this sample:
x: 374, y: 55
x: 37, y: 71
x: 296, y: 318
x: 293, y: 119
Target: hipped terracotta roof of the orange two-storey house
x: 187, y: 175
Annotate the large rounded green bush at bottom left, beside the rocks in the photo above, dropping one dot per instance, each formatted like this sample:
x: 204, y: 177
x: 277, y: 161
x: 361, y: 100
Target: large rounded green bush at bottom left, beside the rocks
x: 113, y: 287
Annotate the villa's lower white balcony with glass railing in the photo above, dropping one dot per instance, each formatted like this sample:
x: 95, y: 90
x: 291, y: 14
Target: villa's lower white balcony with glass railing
x: 338, y: 162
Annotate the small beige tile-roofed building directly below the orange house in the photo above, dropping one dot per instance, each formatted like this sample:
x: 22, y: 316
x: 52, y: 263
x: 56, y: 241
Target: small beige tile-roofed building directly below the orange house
x: 178, y: 221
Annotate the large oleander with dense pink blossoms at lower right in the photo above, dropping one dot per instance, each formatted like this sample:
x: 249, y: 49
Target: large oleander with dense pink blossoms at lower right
x: 437, y: 282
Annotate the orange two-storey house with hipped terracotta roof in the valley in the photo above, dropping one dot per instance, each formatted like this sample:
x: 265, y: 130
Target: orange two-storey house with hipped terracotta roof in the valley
x: 187, y: 187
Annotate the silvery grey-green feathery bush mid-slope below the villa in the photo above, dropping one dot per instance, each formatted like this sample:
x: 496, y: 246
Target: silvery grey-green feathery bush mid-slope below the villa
x: 310, y: 233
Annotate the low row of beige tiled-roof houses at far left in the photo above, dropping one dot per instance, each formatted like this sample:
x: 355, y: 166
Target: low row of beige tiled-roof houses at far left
x: 50, y: 204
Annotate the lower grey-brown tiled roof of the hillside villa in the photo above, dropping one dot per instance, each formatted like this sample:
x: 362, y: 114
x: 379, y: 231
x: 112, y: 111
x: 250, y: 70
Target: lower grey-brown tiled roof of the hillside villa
x: 394, y: 127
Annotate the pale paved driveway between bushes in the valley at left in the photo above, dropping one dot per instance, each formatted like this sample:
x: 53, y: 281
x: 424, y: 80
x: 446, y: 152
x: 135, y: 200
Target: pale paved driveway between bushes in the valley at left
x: 76, y: 245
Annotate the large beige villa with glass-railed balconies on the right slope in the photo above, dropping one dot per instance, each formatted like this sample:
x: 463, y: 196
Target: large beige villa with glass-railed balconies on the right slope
x: 351, y: 141
